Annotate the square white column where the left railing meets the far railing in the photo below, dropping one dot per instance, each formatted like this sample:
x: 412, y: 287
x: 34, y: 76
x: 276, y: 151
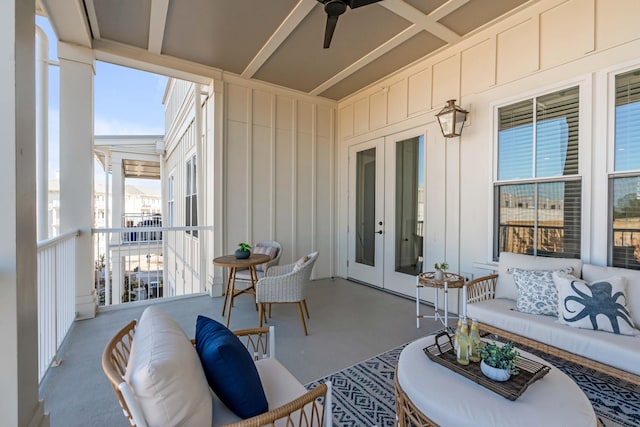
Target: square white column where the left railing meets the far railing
x: 77, y: 69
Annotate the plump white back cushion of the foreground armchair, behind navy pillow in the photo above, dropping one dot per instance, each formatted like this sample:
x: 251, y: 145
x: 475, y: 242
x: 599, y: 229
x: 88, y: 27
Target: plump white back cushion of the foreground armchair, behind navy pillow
x: 165, y: 373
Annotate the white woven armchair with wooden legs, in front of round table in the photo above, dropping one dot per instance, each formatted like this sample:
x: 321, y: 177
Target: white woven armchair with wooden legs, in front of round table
x: 285, y: 284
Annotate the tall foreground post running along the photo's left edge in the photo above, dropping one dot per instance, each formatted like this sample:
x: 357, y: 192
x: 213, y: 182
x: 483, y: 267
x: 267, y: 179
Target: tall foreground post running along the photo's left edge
x: 19, y: 405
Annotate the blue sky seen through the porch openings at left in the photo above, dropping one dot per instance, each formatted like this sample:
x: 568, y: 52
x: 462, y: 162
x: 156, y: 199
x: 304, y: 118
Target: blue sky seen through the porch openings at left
x: 126, y: 102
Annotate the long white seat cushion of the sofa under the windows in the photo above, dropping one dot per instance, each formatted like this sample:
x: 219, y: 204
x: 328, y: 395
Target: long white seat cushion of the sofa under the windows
x: 620, y: 351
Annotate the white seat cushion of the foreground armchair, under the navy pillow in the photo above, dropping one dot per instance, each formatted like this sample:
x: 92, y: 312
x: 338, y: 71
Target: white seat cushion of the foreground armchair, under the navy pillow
x: 280, y: 387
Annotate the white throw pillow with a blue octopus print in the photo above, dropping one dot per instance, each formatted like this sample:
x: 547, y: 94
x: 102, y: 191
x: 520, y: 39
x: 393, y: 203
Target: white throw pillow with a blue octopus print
x: 600, y: 305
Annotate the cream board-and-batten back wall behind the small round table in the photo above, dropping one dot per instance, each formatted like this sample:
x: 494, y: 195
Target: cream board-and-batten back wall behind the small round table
x: 279, y: 173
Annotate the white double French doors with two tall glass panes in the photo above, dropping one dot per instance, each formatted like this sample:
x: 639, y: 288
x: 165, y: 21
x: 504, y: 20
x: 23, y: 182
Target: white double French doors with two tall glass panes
x: 386, y: 211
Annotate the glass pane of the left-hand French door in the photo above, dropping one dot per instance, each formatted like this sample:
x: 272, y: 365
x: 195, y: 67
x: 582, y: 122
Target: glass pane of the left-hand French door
x: 365, y: 207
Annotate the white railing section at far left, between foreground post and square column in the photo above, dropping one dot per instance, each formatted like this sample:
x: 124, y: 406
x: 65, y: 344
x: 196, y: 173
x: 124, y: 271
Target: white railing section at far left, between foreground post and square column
x: 56, y: 296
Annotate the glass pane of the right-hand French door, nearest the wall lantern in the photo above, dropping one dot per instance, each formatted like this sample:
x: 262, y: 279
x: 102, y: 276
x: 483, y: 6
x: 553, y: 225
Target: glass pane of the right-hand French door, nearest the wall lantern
x: 409, y: 205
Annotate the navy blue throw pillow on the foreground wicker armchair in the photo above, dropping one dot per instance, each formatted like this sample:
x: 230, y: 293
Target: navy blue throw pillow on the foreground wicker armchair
x: 229, y: 368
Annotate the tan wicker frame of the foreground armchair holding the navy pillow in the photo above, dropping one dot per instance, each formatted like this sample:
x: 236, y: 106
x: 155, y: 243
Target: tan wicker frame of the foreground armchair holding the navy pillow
x: 304, y: 411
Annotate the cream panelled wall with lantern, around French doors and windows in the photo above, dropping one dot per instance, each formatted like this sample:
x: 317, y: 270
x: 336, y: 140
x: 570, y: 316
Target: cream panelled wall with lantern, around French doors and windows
x: 547, y: 46
